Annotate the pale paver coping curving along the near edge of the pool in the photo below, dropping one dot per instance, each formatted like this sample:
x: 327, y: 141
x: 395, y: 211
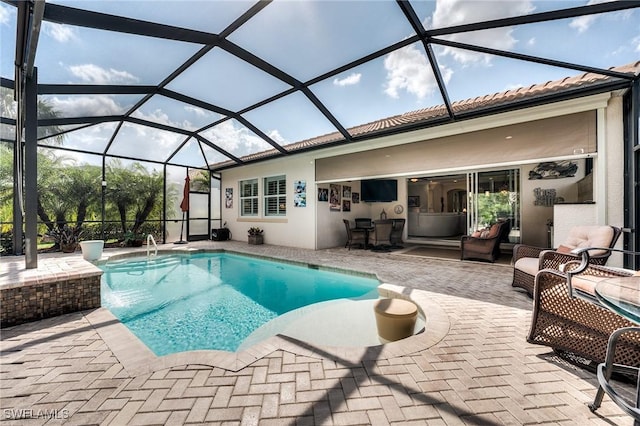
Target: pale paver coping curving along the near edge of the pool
x: 136, y: 358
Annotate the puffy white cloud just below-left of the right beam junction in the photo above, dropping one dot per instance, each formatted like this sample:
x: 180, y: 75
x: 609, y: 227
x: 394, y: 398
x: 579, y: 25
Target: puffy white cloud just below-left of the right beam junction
x: 409, y: 70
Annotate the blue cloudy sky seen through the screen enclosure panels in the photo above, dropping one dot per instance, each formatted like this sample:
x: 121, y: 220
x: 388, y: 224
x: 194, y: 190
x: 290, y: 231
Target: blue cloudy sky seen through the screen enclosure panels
x: 304, y: 39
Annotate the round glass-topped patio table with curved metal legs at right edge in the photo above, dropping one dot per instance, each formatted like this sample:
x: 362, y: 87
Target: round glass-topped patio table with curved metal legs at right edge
x: 621, y: 295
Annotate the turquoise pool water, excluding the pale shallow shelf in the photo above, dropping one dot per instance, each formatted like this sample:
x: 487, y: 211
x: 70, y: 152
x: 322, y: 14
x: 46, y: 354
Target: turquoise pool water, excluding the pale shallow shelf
x: 179, y: 303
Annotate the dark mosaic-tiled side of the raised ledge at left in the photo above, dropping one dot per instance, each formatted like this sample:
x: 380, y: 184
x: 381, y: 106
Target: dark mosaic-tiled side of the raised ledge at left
x: 39, y: 300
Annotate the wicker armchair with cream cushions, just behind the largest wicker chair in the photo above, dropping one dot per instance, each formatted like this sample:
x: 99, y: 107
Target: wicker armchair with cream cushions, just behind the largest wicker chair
x: 528, y: 260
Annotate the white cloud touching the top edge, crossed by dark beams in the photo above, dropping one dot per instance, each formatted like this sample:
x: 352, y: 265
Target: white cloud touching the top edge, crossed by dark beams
x: 457, y: 12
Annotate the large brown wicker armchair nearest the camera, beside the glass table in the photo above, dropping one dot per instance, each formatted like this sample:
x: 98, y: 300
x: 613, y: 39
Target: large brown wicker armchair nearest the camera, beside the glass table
x: 568, y: 318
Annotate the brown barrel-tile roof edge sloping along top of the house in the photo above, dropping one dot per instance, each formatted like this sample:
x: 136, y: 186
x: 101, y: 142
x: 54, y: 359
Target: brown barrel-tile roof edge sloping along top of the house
x: 438, y: 113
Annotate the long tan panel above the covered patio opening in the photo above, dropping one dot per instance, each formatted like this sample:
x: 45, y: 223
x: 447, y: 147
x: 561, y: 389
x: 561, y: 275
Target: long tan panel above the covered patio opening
x: 544, y: 138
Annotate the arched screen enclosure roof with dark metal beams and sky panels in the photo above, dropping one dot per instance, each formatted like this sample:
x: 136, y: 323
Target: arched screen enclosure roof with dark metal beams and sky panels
x: 222, y: 83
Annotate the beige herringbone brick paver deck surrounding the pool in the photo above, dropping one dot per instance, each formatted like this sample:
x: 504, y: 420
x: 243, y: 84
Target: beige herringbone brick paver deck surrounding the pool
x: 472, y: 365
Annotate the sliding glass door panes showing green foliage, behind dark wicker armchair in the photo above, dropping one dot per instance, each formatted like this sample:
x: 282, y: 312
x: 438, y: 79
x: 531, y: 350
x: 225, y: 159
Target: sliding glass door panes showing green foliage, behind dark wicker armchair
x: 493, y: 196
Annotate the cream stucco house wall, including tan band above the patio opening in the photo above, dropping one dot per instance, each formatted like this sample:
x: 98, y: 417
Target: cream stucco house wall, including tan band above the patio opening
x: 316, y: 226
